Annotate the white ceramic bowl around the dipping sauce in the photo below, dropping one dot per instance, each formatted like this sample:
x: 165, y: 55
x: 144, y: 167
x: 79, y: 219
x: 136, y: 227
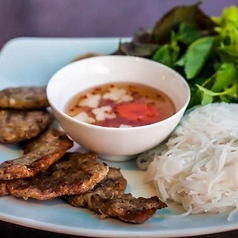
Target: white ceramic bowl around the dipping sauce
x: 116, y: 144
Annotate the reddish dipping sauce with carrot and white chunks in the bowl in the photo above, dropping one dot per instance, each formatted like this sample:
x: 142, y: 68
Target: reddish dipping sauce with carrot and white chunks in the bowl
x: 121, y: 105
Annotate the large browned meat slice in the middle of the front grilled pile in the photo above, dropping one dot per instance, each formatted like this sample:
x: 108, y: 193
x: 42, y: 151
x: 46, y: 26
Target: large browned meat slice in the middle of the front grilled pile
x: 74, y: 173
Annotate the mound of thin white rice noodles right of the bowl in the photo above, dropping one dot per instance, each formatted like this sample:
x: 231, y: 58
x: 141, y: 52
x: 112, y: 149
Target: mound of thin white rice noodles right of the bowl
x: 197, y: 166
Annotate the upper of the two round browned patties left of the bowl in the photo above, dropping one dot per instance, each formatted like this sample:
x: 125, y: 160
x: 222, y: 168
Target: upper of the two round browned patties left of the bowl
x: 24, y: 98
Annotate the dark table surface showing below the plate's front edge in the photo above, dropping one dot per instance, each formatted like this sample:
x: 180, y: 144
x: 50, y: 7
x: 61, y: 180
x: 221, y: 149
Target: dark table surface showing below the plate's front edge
x: 8, y: 230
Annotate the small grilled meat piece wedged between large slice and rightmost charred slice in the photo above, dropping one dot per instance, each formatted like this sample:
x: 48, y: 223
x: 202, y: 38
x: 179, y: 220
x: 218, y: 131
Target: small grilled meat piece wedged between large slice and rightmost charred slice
x: 112, y: 185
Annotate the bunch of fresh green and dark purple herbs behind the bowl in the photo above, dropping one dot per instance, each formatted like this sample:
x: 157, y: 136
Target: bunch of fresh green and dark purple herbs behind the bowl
x: 204, y: 49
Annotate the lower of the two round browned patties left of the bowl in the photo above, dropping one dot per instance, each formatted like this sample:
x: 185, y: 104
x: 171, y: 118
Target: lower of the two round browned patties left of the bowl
x: 16, y: 126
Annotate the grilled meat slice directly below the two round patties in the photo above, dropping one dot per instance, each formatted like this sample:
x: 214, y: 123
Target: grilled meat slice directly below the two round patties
x: 39, y: 154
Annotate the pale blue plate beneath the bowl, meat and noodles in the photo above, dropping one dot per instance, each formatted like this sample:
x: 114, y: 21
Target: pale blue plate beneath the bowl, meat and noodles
x: 32, y: 61
